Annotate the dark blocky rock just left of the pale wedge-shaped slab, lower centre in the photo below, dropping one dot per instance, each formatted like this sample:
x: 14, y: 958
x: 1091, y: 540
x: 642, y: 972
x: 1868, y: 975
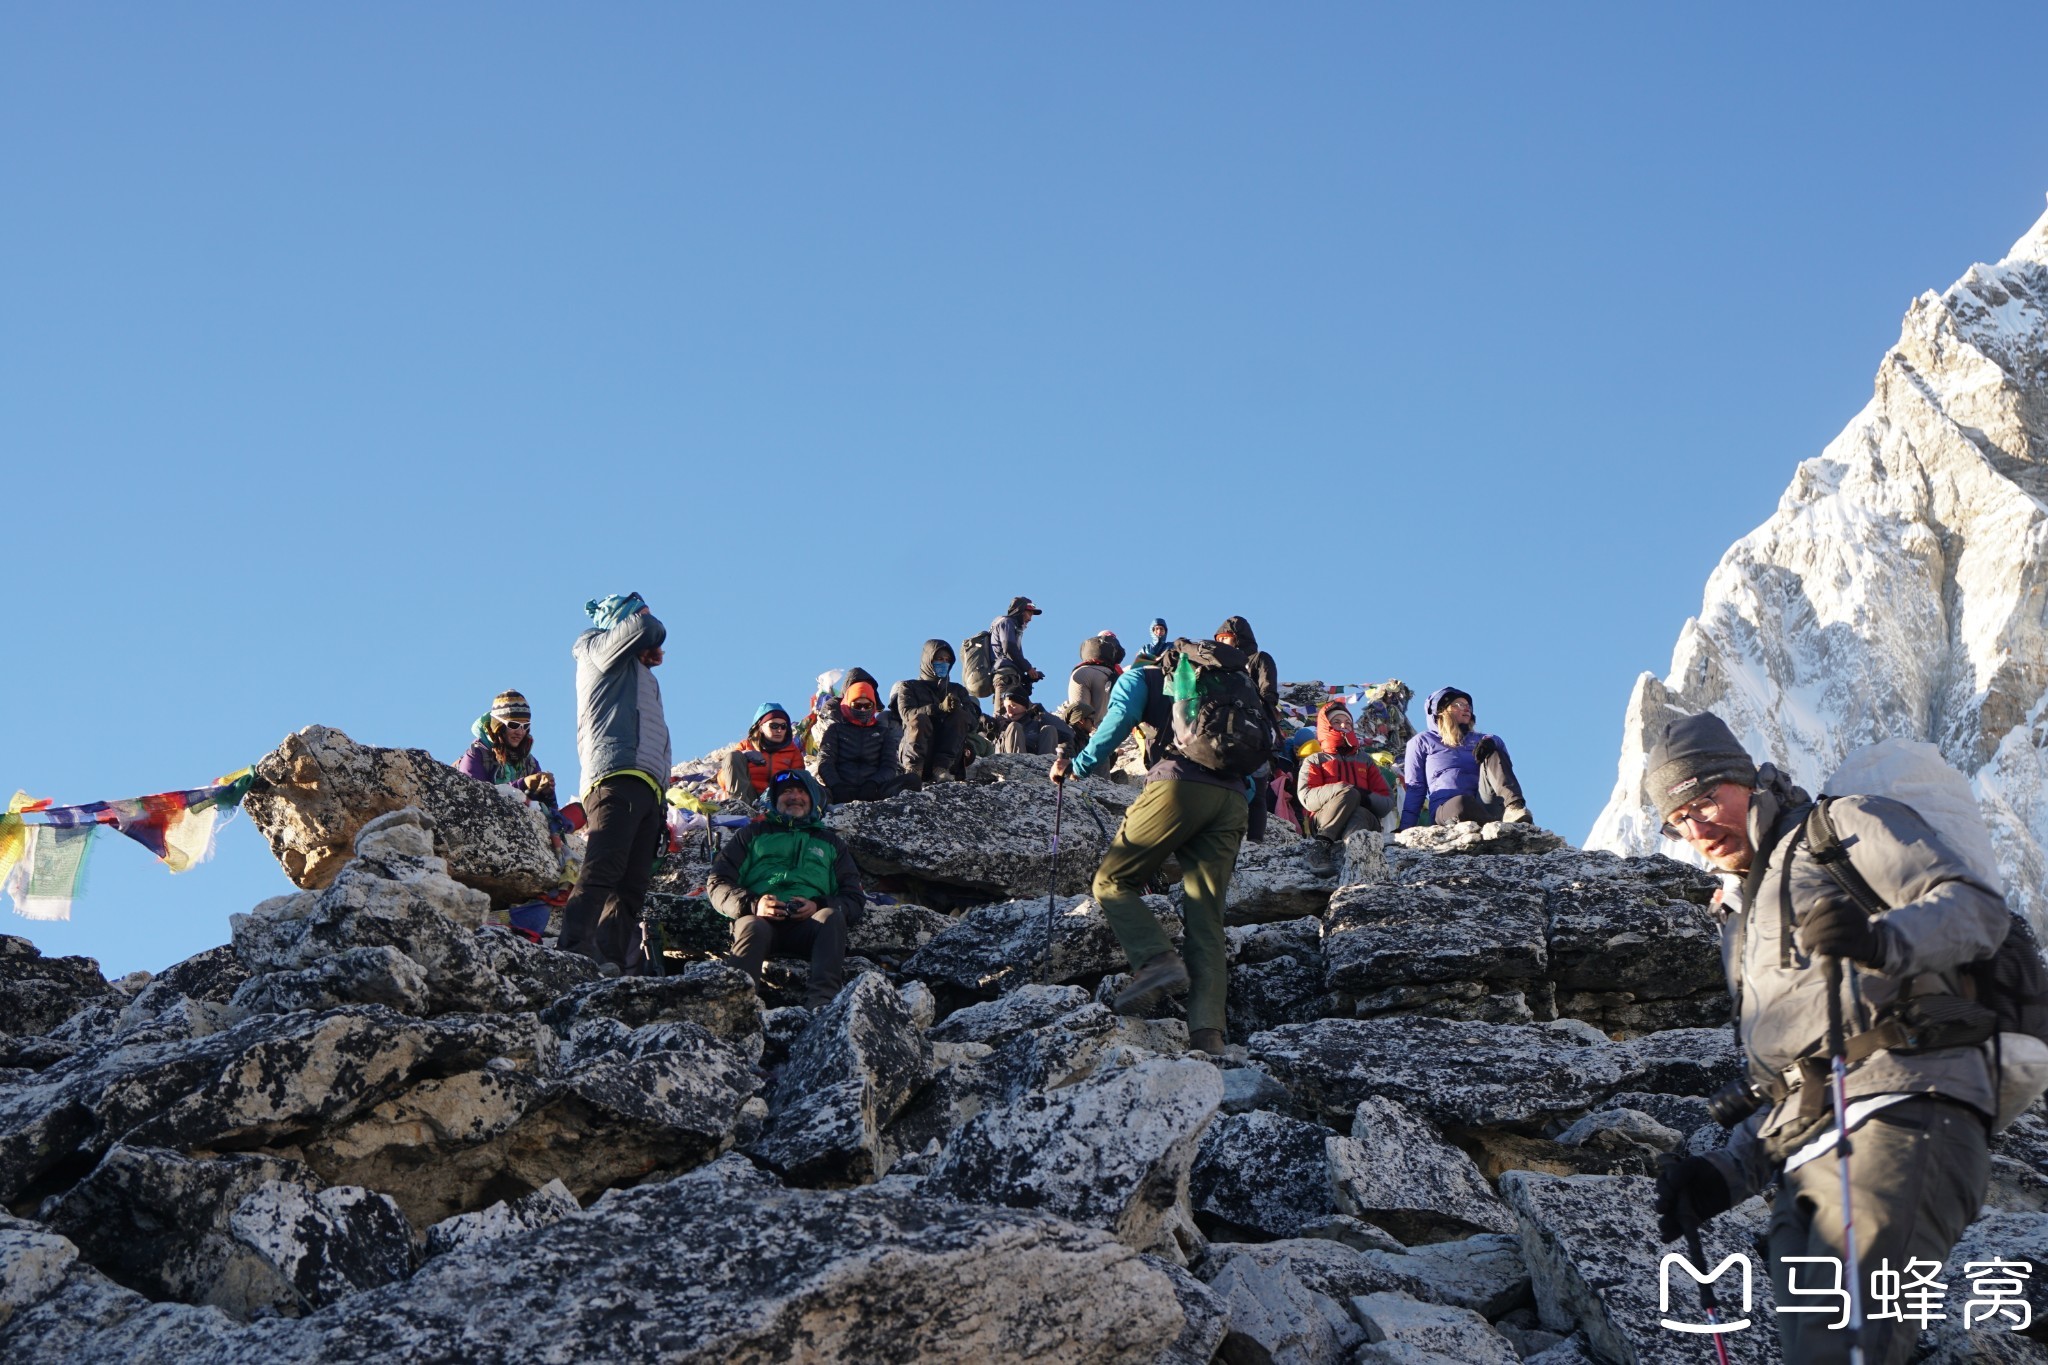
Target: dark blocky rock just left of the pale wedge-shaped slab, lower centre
x: 1261, y: 1176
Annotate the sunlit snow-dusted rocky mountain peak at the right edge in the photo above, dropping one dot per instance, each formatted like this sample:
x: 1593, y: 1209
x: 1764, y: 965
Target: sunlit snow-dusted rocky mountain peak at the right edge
x: 1902, y: 588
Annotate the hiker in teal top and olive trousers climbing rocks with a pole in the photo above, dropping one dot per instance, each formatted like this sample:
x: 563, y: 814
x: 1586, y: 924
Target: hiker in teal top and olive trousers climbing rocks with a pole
x: 1191, y: 811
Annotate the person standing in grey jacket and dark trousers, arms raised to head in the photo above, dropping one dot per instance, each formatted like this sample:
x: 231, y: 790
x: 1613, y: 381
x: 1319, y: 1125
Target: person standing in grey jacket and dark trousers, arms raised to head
x: 622, y: 740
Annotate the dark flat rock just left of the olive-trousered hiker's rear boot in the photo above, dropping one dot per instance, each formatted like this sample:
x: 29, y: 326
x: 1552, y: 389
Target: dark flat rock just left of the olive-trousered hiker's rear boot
x: 996, y: 949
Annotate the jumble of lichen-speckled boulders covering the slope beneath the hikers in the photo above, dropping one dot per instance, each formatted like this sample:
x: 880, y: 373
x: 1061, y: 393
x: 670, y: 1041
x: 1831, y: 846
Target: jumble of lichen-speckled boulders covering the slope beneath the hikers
x: 374, y: 1127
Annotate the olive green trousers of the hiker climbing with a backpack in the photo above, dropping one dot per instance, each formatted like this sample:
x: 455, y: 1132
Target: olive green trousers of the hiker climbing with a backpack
x: 1203, y: 826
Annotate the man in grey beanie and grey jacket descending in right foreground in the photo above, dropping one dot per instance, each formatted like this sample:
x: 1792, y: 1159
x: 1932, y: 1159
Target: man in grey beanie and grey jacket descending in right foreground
x: 1920, y: 1104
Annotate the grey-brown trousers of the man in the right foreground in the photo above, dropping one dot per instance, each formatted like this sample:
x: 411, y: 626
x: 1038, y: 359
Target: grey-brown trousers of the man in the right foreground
x: 1918, y: 1174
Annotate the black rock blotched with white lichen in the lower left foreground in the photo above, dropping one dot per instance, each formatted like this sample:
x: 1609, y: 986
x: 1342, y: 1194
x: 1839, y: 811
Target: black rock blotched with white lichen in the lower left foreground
x: 327, y: 1245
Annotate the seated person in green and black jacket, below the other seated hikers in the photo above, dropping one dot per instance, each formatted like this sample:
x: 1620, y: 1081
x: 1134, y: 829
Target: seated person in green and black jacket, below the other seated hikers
x: 792, y: 885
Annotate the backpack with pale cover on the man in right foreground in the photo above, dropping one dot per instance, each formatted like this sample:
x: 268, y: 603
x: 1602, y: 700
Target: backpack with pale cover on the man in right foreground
x: 2004, y: 998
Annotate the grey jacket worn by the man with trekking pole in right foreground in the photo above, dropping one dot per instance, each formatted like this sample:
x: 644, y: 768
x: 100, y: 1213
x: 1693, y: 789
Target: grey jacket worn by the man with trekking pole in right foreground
x: 1940, y: 920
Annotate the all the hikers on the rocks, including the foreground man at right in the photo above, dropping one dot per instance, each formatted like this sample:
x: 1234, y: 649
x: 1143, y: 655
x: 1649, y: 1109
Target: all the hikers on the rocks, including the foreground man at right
x: 1199, y: 719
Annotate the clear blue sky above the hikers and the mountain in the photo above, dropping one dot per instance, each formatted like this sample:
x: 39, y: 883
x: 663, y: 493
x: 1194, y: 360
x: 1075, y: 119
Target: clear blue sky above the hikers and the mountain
x: 345, y: 351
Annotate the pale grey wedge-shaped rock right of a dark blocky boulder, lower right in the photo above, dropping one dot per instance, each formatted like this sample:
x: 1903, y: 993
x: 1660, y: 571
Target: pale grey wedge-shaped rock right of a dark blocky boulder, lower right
x: 1398, y: 1172
